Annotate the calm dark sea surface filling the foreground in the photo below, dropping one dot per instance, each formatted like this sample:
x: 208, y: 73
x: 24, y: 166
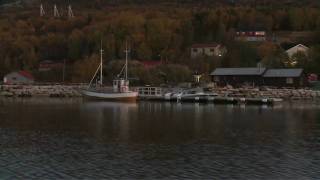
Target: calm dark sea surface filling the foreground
x: 65, y: 139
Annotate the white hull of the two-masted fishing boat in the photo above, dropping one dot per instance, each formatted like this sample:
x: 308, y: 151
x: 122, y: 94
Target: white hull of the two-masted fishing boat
x: 123, y: 96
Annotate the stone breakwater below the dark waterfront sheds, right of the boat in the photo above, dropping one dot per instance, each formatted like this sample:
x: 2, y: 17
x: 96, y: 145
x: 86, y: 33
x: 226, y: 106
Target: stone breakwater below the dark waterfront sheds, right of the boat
x: 286, y: 94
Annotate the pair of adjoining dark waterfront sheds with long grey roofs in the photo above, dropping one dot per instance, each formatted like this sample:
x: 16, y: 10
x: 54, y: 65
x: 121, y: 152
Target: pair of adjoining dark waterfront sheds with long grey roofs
x: 259, y: 77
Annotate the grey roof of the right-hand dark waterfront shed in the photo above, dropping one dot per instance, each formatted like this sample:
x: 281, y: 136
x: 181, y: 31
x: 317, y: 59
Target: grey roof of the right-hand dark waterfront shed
x: 283, y: 73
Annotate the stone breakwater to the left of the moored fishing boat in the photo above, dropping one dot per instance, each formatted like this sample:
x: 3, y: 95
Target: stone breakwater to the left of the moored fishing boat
x: 41, y: 90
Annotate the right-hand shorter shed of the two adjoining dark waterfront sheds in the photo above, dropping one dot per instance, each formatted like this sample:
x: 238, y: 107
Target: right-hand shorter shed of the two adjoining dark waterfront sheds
x: 285, y: 78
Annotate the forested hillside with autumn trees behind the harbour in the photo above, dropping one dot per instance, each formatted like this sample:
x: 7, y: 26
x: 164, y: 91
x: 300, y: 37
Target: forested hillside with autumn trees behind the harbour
x: 159, y: 30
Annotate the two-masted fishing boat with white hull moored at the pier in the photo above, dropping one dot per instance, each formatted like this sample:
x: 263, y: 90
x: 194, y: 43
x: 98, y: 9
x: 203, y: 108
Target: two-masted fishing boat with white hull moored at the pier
x: 120, y: 90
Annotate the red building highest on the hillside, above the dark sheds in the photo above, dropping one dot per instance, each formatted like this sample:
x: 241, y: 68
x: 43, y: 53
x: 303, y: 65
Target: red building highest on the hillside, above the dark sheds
x: 251, y: 36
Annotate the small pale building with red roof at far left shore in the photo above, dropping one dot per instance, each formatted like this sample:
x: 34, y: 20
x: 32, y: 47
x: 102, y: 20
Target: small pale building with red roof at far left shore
x: 19, y: 77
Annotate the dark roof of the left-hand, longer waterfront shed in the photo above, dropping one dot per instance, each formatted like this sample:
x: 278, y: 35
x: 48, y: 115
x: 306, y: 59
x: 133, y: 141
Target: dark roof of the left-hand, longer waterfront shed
x: 237, y: 71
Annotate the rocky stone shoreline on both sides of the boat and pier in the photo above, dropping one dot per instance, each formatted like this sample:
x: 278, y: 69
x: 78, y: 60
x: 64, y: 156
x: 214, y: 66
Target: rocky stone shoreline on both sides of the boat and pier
x: 65, y: 91
